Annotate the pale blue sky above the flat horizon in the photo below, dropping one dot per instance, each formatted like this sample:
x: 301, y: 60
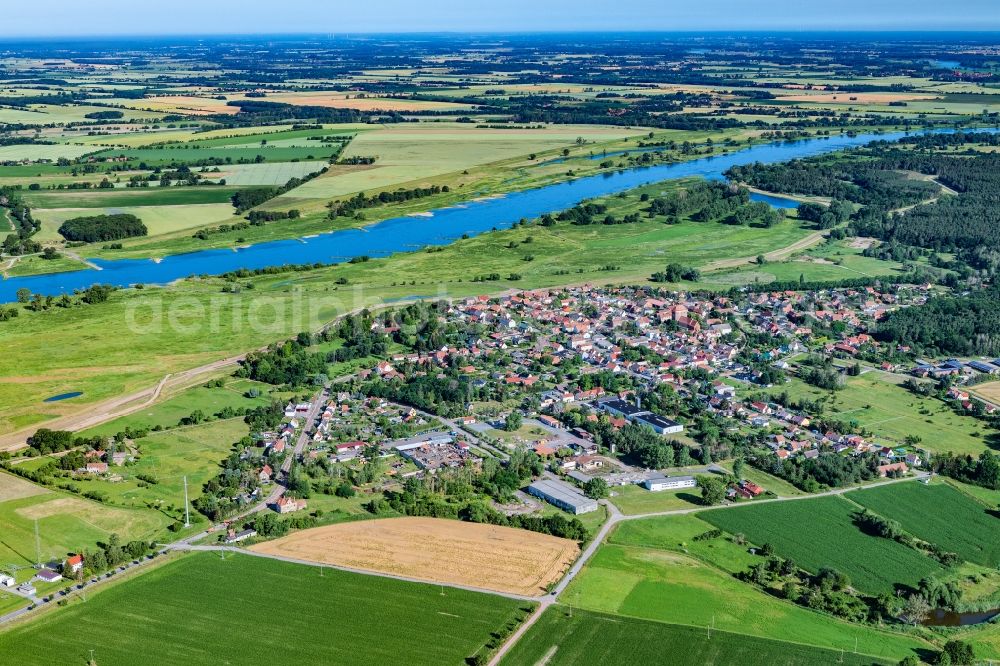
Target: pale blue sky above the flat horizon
x: 104, y: 17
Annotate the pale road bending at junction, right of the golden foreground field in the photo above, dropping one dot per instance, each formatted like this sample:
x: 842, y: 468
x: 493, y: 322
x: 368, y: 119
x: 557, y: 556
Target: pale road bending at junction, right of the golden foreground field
x: 615, y: 517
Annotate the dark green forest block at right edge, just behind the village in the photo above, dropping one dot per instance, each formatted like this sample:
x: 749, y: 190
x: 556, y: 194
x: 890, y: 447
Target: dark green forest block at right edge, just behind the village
x: 953, y: 324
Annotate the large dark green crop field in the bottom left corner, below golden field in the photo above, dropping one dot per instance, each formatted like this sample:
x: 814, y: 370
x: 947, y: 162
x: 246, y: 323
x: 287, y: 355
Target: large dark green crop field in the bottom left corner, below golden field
x: 202, y: 610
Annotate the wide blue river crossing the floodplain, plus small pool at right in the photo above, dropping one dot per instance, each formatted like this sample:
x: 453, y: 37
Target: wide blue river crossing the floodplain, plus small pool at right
x: 439, y: 227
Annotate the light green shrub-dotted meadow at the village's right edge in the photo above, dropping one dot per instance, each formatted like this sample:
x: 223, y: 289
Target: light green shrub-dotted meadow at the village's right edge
x: 874, y: 401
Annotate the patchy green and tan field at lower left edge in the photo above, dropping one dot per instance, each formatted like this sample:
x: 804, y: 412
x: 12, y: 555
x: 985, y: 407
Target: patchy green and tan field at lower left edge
x: 66, y: 523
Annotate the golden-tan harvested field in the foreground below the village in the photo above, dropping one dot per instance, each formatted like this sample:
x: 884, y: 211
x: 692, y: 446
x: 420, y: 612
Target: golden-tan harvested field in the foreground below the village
x: 436, y: 550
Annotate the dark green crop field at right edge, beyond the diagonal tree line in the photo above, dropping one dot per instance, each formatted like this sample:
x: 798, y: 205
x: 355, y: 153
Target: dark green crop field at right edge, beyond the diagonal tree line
x: 939, y: 514
